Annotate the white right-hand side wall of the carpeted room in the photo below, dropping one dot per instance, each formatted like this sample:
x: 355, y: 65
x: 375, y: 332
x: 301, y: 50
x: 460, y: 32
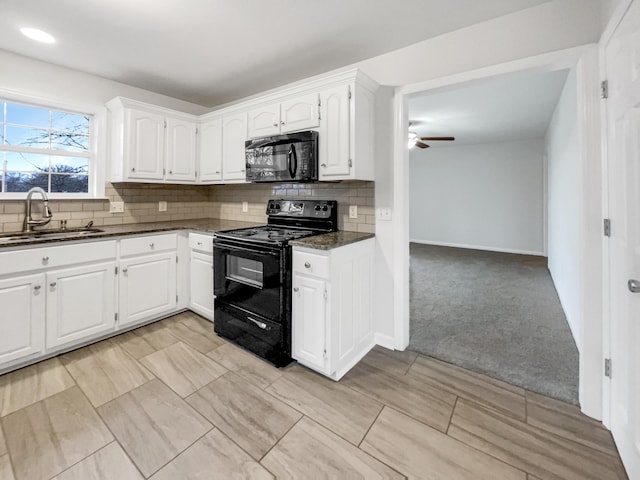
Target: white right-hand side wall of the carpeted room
x: 564, y: 203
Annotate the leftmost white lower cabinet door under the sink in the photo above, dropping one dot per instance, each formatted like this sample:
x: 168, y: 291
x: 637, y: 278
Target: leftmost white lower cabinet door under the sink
x: 22, y: 317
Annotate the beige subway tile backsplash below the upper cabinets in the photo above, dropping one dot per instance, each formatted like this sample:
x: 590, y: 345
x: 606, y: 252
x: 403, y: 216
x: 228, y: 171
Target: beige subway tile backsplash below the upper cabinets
x: 198, y: 201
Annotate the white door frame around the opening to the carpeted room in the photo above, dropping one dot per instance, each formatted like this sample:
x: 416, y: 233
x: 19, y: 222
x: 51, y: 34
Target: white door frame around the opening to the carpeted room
x: 591, y: 378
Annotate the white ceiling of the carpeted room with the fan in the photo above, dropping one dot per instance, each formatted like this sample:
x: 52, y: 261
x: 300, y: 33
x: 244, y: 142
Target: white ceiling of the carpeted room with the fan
x: 503, y: 108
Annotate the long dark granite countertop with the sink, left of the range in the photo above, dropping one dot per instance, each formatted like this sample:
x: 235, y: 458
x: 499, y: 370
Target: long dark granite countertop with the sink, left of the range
x: 202, y: 225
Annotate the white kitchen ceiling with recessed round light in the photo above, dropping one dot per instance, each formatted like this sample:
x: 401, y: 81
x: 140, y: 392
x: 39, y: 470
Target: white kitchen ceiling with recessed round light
x: 213, y: 51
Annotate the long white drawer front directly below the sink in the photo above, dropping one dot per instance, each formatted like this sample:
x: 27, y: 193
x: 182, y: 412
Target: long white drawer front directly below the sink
x: 50, y: 257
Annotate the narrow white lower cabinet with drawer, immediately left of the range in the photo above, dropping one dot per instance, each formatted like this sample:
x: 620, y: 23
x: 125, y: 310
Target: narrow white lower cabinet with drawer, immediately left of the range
x: 201, y: 275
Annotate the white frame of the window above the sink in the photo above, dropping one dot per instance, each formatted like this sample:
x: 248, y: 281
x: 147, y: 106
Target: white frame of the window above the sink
x: 97, y: 143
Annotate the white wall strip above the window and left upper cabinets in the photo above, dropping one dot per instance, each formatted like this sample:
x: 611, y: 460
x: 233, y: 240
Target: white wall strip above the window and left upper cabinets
x: 32, y: 77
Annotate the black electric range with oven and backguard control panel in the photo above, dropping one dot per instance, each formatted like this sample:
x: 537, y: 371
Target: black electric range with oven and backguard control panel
x: 252, y: 276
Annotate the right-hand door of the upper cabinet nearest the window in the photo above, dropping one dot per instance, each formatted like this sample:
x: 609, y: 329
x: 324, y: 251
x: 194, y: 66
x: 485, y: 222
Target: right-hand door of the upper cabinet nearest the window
x: 180, y: 150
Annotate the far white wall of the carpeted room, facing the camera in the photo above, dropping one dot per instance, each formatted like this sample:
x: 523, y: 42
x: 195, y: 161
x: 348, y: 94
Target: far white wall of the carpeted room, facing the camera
x: 488, y: 196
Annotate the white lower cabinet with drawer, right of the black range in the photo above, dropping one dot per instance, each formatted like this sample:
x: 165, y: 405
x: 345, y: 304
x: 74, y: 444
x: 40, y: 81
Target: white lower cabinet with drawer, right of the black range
x: 332, y: 307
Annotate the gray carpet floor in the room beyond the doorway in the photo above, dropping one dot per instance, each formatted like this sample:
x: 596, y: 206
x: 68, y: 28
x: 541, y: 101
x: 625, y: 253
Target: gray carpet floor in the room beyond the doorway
x: 493, y: 313
